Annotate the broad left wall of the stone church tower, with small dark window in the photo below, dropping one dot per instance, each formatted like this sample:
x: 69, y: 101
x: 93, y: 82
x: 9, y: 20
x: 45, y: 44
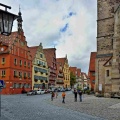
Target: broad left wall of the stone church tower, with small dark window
x: 105, y: 45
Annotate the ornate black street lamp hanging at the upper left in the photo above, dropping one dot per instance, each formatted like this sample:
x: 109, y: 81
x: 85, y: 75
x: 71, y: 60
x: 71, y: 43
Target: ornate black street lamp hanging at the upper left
x: 6, y: 20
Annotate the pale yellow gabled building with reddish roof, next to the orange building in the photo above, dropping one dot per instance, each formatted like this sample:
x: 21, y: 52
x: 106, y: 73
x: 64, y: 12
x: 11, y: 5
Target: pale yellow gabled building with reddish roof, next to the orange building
x: 39, y: 68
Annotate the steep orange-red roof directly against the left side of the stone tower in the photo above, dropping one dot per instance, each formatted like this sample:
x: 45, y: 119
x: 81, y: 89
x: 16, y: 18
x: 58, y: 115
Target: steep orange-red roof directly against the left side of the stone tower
x: 92, y: 61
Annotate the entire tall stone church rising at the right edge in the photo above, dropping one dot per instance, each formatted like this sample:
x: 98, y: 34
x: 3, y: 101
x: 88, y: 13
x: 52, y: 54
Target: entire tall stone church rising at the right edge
x: 108, y: 48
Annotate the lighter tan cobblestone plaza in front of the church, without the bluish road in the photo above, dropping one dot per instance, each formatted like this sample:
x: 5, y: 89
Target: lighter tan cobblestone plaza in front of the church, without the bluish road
x: 108, y: 108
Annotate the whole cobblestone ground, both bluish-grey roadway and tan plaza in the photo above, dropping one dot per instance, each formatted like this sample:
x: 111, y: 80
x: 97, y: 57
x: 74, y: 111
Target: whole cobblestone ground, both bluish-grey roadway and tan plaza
x: 40, y: 107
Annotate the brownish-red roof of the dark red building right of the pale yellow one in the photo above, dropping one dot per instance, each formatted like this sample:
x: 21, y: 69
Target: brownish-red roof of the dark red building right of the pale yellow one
x: 50, y: 55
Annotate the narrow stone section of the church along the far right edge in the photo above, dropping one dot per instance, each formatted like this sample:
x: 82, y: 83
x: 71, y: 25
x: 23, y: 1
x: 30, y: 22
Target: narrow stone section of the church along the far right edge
x: 116, y: 52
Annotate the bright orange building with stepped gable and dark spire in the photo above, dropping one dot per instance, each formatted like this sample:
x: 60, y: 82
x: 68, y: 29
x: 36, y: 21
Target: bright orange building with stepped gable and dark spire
x: 15, y: 62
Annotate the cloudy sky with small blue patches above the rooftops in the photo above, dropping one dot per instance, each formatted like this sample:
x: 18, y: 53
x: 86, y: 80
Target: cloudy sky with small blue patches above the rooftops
x: 68, y: 25
